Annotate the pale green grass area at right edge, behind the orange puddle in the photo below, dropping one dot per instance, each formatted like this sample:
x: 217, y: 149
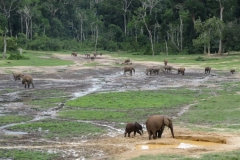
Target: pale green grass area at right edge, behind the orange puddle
x: 220, y: 111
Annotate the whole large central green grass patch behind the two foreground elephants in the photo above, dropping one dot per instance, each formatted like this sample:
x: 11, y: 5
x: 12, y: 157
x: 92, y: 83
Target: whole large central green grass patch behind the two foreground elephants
x: 129, y: 106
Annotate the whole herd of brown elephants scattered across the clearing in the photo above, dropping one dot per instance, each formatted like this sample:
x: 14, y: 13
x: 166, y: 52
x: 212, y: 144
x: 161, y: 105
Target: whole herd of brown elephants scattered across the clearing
x: 155, y: 124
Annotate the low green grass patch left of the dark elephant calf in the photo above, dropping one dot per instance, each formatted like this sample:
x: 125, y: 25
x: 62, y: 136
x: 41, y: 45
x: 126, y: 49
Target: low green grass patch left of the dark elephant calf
x: 58, y: 128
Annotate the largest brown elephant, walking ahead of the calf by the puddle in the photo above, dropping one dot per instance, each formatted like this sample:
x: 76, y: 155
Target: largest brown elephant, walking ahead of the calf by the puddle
x: 155, y: 125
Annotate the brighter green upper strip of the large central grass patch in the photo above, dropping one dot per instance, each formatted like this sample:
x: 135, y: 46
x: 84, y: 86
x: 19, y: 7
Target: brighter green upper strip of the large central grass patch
x: 136, y: 99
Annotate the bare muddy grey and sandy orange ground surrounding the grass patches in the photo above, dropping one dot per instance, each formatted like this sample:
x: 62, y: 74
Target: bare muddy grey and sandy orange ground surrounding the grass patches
x: 78, y: 80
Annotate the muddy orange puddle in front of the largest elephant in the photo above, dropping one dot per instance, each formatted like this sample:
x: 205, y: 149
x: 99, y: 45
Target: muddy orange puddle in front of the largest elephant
x: 178, y: 143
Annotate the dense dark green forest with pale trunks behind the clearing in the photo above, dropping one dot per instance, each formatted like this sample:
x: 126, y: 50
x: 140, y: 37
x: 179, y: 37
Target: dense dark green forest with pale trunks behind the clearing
x: 144, y: 26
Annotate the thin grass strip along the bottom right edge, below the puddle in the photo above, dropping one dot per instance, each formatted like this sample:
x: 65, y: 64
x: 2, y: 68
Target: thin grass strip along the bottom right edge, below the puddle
x: 233, y: 155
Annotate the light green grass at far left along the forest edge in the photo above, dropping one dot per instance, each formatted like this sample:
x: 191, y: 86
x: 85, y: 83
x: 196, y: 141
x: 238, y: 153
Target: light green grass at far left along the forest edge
x: 35, y: 59
